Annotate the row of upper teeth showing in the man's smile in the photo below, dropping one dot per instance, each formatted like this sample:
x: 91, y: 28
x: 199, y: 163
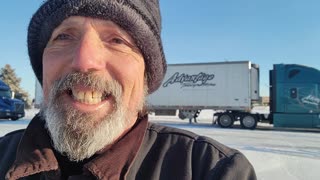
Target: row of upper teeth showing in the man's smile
x: 87, y: 97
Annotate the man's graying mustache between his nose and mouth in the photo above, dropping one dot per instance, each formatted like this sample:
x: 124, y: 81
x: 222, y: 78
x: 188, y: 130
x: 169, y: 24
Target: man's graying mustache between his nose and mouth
x: 89, y: 80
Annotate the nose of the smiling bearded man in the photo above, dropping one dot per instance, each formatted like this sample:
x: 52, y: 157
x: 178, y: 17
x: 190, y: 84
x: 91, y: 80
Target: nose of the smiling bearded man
x: 89, y: 55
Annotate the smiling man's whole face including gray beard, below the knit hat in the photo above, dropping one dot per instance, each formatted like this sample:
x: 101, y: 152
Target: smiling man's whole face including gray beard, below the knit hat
x: 93, y: 74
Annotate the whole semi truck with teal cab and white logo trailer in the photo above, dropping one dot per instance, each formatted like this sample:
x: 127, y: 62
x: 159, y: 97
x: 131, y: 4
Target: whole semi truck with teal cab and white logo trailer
x: 232, y: 88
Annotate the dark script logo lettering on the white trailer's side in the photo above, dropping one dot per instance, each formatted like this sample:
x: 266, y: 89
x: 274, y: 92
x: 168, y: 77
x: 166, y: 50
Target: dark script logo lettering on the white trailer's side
x: 187, y: 80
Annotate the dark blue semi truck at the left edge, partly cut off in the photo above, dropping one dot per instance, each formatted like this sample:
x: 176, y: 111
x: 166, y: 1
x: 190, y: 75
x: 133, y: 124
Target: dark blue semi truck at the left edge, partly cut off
x: 10, y: 108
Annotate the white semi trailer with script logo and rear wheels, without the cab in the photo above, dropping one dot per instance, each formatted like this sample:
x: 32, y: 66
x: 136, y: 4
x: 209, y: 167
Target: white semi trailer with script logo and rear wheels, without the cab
x: 231, y: 87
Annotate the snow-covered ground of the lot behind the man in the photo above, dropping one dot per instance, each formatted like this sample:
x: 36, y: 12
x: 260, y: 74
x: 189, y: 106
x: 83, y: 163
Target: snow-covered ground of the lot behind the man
x: 275, y: 154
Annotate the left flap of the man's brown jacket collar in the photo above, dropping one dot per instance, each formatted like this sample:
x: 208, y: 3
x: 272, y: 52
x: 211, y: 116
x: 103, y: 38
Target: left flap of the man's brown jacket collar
x: 34, y: 153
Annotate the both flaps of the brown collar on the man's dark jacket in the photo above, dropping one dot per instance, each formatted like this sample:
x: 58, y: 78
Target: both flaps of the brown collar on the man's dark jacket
x: 35, y: 153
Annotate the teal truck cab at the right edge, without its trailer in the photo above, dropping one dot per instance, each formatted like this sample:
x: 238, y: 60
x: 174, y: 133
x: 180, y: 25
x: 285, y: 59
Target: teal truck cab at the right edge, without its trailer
x: 295, y: 96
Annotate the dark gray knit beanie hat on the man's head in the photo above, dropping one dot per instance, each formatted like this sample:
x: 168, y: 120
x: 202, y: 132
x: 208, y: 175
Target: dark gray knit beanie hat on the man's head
x: 139, y: 18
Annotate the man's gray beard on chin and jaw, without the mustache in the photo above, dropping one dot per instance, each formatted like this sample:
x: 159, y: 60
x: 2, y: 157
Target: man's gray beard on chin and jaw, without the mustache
x: 74, y: 135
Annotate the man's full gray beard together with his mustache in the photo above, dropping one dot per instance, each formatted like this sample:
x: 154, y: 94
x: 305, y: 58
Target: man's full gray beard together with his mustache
x: 80, y: 135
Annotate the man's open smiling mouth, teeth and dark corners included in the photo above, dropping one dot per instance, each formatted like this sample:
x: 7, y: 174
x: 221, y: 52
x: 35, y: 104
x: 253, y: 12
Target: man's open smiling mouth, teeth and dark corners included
x: 89, y: 97
